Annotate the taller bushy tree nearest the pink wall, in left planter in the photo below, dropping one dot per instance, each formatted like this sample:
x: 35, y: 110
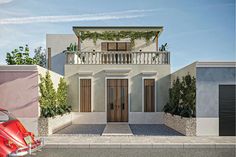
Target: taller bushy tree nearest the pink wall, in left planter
x: 47, y: 99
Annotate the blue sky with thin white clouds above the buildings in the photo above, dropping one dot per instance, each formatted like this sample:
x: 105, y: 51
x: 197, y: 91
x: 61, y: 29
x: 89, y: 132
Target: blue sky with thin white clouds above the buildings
x: 195, y: 30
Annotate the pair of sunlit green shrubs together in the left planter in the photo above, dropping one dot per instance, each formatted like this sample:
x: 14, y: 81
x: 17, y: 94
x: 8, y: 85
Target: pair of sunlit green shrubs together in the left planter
x: 53, y: 103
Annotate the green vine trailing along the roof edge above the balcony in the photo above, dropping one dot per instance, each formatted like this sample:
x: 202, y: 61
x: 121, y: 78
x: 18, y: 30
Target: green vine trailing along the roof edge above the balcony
x: 112, y: 35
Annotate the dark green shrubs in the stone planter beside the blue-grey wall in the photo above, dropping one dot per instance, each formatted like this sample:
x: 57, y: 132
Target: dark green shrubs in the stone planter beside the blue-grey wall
x: 182, y: 97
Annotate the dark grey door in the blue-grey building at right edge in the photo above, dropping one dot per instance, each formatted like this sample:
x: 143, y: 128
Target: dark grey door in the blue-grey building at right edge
x: 227, y: 110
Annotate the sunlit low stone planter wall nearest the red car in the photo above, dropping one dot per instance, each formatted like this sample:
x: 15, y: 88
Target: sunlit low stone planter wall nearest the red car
x: 48, y: 126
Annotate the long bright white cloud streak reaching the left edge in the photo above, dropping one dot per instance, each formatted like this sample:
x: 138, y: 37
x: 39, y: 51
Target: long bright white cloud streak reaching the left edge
x: 69, y: 18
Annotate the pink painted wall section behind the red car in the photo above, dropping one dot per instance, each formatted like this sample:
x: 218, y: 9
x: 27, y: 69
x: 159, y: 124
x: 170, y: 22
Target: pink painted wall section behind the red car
x: 19, y: 92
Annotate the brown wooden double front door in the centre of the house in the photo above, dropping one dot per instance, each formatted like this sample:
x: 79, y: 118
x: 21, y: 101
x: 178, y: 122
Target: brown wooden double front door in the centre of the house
x: 117, y: 100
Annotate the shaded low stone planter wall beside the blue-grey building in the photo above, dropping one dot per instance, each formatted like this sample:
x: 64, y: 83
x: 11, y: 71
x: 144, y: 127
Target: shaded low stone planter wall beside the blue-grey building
x: 186, y: 126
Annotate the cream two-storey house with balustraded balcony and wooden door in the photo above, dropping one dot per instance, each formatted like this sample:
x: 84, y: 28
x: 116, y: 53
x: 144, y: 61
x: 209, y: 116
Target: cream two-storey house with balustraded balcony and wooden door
x: 113, y: 80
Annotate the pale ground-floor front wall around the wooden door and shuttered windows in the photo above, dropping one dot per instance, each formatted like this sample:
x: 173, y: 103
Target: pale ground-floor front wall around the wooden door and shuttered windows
x: 135, y: 88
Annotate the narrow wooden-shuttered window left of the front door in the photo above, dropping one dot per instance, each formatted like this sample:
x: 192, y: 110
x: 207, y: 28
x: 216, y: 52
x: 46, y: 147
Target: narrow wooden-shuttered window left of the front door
x: 85, y: 95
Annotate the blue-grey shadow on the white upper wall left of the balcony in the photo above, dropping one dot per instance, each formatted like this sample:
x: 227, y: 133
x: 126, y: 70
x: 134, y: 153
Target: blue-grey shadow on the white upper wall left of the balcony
x: 58, y: 62
